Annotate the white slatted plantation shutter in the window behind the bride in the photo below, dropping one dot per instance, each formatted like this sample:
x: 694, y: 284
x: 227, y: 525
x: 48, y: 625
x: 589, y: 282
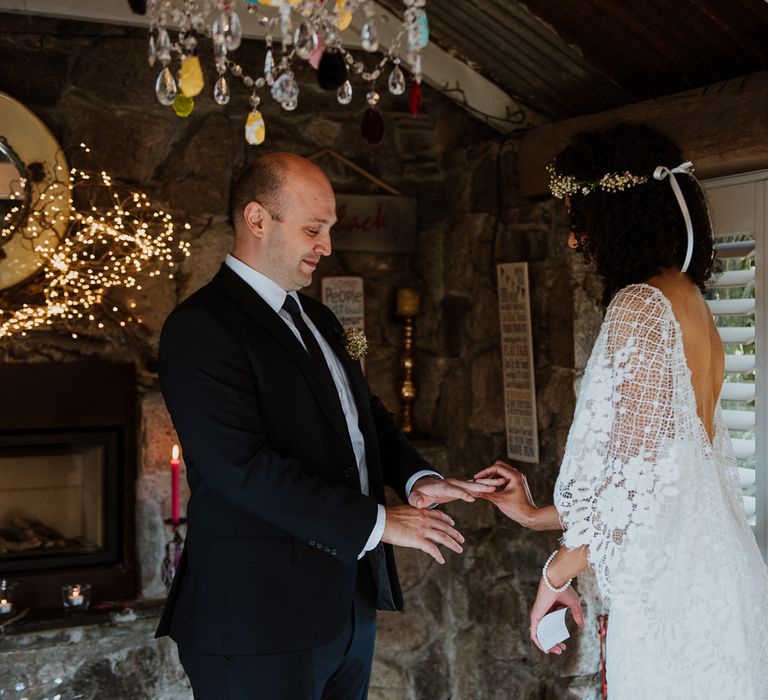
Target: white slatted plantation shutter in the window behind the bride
x: 737, y: 300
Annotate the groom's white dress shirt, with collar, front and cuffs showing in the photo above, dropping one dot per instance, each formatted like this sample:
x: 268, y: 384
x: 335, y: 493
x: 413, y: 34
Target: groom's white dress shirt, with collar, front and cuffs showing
x: 274, y: 296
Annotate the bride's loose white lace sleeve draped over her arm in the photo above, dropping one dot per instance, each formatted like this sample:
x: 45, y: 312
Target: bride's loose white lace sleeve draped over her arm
x: 614, y: 473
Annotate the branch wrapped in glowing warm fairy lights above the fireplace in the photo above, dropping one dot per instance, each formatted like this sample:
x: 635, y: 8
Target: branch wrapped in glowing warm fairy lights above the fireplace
x: 103, y: 249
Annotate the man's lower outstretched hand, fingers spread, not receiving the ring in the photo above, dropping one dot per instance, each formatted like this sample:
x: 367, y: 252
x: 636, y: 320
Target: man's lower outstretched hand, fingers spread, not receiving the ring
x: 421, y: 529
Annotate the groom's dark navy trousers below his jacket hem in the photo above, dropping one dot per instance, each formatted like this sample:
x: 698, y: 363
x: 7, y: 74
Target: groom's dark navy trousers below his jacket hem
x: 339, y: 670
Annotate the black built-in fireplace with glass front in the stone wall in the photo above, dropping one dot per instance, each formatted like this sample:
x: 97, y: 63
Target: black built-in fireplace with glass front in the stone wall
x: 67, y: 473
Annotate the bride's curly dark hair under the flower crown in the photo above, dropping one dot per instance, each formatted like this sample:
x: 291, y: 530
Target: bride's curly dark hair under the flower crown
x: 632, y: 235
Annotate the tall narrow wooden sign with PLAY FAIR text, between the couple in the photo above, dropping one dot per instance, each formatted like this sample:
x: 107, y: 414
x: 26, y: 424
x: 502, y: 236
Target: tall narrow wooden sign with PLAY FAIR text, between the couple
x: 517, y: 362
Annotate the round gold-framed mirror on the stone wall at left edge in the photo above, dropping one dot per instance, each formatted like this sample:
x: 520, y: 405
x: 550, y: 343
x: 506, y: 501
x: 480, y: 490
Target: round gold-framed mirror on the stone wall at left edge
x: 33, y: 165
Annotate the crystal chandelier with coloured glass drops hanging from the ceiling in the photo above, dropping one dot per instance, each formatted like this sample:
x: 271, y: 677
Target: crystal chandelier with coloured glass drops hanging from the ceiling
x: 295, y: 30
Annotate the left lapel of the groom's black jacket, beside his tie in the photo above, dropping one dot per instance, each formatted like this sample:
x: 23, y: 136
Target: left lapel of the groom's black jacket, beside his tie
x: 261, y: 312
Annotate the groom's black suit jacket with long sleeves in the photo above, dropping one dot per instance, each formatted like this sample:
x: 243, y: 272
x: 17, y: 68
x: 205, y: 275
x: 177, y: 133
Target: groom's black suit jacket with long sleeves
x: 276, y: 519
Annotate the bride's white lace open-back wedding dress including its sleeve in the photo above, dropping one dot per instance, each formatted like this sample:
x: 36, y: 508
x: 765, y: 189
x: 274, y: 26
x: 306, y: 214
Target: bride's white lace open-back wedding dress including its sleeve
x: 661, y: 509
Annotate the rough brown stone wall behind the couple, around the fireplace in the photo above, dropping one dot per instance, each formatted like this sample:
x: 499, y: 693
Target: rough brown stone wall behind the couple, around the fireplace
x: 464, y: 635
